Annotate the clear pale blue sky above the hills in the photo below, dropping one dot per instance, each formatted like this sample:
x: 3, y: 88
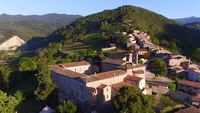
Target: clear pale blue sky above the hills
x: 169, y: 8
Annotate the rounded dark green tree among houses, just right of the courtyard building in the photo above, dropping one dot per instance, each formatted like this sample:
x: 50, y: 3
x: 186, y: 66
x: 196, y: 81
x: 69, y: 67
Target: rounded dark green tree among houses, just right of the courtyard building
x: 158, y: 66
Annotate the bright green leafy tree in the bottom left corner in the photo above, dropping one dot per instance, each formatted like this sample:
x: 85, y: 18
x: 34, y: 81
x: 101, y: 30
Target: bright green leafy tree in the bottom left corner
x: 8, y: 104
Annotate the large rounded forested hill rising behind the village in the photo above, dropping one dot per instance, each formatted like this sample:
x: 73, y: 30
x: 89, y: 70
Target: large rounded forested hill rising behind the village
x: 104, y: 27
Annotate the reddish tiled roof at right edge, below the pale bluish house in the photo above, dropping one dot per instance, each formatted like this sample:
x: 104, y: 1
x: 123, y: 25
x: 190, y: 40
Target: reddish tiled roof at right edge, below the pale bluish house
x: 189, y: 83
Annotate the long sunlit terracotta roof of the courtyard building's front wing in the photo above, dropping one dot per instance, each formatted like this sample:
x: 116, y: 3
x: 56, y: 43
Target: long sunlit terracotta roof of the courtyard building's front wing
x: 104, y: 75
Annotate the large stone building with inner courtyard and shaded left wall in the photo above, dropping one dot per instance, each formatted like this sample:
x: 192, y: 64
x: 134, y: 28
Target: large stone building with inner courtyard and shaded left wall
x: 82, y: 82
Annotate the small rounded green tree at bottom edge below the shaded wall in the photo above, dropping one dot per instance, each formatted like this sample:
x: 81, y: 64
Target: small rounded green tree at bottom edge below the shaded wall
x: 66, y: 107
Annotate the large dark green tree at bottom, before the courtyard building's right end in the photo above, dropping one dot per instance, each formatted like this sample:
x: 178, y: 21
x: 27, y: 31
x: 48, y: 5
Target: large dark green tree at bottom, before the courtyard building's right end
x: 131, y: 100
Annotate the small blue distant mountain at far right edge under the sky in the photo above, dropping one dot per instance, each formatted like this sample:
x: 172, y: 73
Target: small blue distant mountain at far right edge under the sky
x: 188, y: 20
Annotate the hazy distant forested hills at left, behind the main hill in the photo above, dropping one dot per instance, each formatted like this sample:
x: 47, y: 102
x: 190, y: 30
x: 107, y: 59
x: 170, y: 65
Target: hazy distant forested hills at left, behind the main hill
x: 33, y: 25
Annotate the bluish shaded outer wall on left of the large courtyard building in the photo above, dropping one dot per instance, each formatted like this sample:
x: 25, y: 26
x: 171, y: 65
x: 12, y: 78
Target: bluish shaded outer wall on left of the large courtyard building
x: 71, y: 88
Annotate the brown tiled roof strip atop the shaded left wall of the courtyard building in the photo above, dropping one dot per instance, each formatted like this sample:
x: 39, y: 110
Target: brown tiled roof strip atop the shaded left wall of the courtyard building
x: 61, y: 71
